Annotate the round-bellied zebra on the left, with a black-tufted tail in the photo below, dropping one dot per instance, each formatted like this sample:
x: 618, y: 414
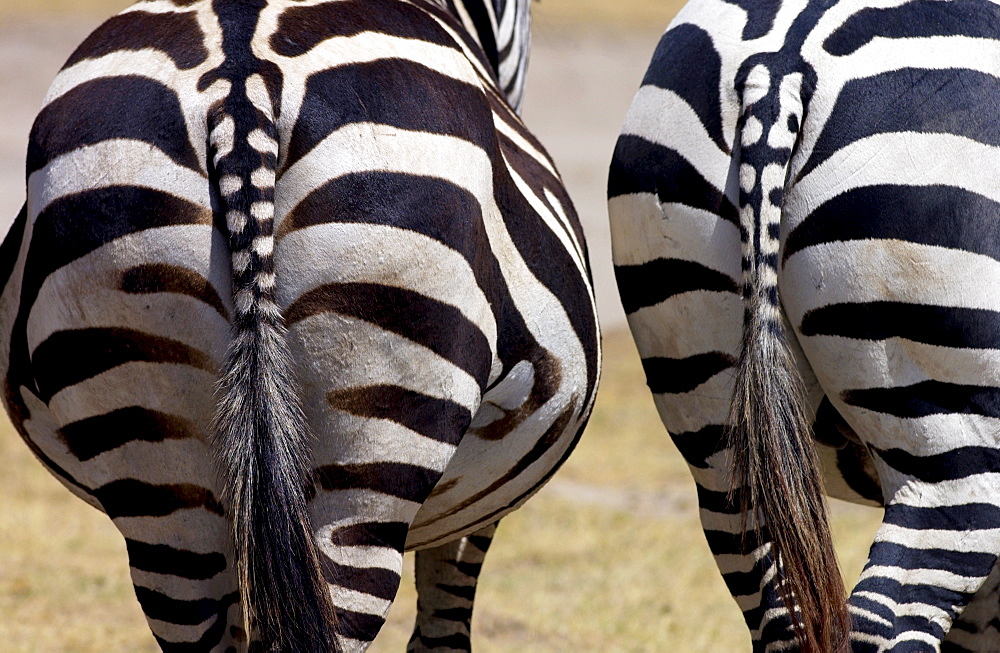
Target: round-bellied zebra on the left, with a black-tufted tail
x: 294, y: 291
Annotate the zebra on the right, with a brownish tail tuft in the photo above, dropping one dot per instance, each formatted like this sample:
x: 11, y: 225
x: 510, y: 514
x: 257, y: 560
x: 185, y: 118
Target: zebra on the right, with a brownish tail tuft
x: 803, y: 205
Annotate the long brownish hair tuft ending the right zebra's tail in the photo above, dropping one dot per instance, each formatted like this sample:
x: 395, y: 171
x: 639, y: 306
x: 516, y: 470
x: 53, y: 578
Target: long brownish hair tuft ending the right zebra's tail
x: 775, y: 462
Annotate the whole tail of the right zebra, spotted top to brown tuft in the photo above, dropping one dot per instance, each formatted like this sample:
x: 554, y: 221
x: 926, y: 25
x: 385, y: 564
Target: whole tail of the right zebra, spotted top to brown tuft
x: 776, y: 468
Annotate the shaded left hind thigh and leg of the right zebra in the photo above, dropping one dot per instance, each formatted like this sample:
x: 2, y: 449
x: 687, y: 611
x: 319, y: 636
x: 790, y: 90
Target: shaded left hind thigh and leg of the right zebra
x: 675, y: 260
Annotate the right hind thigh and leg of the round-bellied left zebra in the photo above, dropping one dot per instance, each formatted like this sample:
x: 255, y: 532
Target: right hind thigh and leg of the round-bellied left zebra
x: 392, y: 362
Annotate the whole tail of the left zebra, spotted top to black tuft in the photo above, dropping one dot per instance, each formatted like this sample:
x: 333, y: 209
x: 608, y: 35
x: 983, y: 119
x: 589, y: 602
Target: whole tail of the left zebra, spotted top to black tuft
x: 260, y: 434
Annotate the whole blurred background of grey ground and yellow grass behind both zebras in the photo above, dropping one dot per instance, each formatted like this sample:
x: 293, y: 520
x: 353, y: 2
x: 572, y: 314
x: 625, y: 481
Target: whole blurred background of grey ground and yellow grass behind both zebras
x: 608, y: 557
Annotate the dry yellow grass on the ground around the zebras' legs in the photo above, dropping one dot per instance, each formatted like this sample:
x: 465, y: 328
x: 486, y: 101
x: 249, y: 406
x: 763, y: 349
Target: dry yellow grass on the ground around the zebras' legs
x: 608, y: 557
